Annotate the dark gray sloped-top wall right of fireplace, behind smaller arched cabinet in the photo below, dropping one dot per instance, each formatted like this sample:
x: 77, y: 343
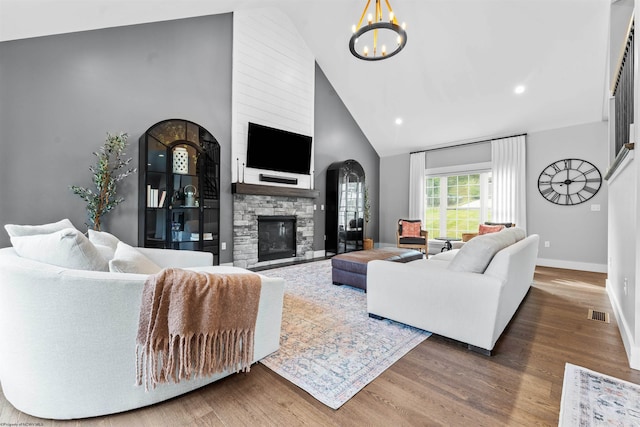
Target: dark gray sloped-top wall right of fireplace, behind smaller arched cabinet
x: 338, y: 138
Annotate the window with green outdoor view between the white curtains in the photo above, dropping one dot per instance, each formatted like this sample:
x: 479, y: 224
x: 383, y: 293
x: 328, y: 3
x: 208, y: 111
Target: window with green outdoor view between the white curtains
x: 457, y: 204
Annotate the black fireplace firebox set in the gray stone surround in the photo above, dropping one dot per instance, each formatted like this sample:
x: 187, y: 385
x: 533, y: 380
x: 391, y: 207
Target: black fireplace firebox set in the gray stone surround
x: 276, y: 237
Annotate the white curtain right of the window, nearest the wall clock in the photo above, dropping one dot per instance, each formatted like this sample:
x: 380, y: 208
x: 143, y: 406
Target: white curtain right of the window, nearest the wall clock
x: 508, y: 157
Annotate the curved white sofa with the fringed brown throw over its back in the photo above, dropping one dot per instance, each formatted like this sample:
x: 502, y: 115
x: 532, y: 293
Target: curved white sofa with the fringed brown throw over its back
x: 68, y: 336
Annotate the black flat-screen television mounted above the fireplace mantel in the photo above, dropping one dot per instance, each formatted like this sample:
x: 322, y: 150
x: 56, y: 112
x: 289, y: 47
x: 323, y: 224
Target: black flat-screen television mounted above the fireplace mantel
x: 278, y: 150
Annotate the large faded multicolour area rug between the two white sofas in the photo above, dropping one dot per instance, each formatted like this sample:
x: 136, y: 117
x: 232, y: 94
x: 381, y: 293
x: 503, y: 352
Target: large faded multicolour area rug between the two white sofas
x: 329, y: 346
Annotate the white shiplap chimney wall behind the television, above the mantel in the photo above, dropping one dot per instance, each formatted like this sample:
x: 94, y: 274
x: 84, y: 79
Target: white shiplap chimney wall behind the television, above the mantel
x: 273, y: 84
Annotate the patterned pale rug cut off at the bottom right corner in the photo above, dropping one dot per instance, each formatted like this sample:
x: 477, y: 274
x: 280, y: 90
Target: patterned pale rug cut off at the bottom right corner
x: 590, y: 398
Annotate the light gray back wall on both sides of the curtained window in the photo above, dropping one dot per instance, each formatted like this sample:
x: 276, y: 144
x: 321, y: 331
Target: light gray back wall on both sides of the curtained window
x: 577, y: 235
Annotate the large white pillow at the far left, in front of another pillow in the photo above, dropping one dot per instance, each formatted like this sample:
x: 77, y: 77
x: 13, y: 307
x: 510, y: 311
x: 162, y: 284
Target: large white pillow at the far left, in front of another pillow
x: 67, y: 248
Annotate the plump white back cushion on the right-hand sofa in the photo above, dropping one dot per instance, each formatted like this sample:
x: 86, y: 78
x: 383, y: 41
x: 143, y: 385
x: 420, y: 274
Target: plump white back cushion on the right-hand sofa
x: 477, y: 253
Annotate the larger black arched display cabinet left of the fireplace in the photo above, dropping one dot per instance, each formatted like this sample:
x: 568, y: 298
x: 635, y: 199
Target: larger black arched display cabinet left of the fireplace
x: 179, y: 198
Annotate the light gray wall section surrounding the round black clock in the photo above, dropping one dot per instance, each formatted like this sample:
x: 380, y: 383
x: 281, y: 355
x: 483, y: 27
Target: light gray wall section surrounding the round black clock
x: 577, y: 235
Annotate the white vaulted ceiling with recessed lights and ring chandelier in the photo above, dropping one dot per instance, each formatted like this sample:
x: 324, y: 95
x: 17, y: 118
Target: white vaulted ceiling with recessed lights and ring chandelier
x: 454, y: 81
